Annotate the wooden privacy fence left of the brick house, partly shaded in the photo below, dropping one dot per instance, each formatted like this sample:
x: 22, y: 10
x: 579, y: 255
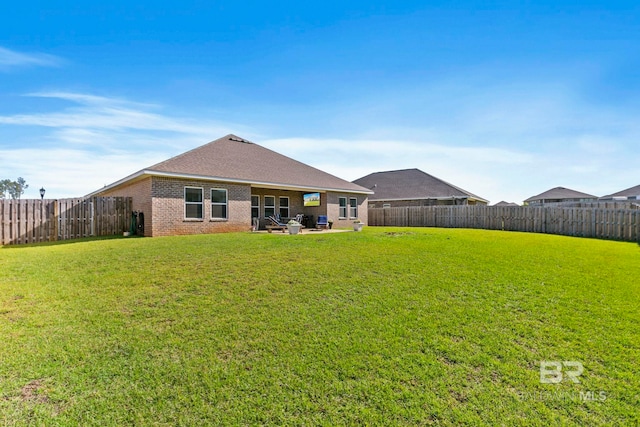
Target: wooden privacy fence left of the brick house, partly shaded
x: 33, y: 221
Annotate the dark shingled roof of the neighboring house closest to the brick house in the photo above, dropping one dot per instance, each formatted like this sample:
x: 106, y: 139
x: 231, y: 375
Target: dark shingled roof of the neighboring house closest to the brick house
x: 411, y: 184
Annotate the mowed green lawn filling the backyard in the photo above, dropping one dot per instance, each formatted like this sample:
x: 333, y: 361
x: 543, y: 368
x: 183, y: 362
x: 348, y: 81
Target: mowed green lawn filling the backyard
x: 390, y: 326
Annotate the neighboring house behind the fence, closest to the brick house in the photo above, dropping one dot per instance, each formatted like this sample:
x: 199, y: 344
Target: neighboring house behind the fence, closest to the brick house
x: 412, y: 187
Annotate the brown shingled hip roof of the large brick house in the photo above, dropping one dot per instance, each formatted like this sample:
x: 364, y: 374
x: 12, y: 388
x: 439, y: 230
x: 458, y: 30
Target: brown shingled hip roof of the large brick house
x: 233, y: 159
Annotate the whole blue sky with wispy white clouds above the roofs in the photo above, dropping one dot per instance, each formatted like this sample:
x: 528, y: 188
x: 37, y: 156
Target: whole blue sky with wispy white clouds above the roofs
x: 504, y: 99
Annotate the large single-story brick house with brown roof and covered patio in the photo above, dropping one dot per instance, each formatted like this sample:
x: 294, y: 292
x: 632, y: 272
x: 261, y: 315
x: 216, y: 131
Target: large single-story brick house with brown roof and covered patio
x: 225, y: 184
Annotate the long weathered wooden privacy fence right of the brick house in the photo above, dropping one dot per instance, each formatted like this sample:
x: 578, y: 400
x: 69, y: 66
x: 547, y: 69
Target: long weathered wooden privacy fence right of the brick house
x: 615, y: 224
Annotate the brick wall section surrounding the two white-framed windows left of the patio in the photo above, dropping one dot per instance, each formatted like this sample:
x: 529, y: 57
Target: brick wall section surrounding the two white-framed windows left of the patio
x: 169, y: 208
